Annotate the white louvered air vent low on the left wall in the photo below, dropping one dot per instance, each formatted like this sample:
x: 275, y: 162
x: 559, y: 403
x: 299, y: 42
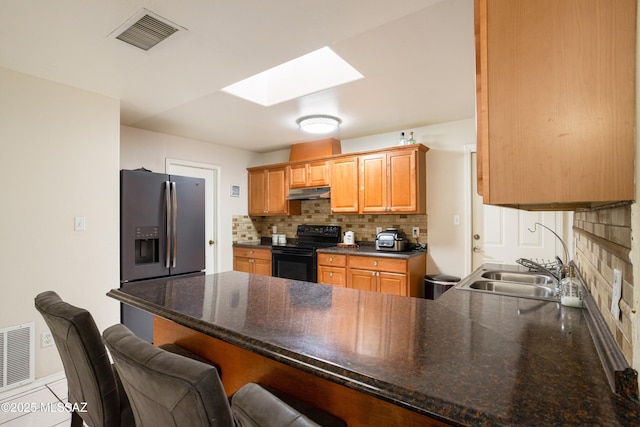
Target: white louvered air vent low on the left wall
x: 16, y: 356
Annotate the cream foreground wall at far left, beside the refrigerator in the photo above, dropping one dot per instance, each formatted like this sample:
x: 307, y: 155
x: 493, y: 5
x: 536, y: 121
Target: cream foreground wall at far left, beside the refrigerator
x: 59, y: 160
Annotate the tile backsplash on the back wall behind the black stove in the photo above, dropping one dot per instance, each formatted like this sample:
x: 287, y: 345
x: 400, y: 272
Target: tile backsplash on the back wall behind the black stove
x: 248, y: 229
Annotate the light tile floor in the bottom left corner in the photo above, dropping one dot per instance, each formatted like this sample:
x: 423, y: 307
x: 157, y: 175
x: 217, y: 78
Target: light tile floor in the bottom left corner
x: 38, y: 407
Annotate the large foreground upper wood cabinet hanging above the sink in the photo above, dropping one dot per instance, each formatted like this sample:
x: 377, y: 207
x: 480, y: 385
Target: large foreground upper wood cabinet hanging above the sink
x: 555, y: 87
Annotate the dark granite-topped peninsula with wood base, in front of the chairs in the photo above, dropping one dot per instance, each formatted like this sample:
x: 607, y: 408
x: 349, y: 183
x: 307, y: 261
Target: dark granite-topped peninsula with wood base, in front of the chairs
x: 374, y: 359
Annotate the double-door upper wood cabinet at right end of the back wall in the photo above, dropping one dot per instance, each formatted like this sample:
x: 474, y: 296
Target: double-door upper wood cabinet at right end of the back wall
x: 393, y: 181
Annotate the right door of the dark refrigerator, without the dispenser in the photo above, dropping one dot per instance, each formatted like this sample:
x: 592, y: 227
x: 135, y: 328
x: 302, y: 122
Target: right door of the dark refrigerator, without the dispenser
x: 187, y: 218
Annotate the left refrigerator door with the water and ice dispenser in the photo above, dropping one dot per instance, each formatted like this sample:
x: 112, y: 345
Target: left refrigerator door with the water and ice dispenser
x: 143, y: 231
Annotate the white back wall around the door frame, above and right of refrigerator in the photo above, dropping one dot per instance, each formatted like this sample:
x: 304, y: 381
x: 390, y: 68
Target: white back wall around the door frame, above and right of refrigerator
x: 141, y: 148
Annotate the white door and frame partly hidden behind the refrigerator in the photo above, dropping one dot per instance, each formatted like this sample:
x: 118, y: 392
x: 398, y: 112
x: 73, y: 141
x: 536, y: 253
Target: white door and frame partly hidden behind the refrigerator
x: 210, y: 175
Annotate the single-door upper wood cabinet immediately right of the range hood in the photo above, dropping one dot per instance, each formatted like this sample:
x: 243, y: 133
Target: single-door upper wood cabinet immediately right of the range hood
x: 344, y: 185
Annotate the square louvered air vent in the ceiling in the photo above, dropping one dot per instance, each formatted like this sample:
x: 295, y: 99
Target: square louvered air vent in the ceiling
x: 145, y: 30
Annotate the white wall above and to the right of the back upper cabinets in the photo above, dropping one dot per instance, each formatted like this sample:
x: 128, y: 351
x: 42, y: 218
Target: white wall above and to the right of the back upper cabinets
x: 445, y: 186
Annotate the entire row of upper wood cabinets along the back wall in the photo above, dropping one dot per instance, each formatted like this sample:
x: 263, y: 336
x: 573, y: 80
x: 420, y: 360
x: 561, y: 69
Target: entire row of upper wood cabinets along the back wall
x: 391, y: 180
